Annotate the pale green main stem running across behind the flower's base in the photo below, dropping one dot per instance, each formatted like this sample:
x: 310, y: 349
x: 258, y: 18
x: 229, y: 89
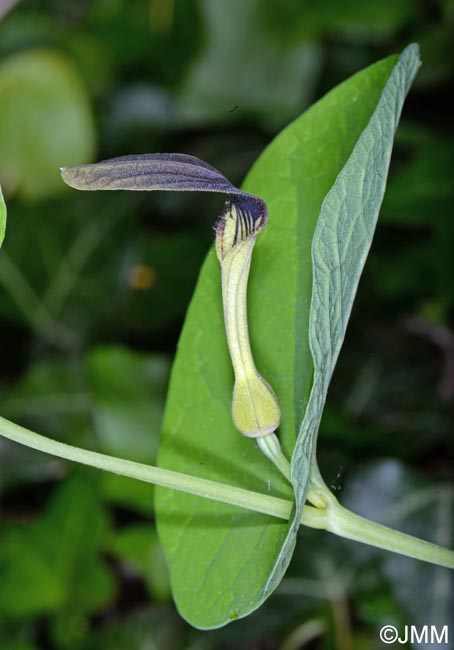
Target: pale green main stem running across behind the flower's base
x: 334, y: 518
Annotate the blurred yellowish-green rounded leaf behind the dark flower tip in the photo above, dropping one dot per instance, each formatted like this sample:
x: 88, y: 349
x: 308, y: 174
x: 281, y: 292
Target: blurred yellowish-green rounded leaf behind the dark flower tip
x: 45, y: 121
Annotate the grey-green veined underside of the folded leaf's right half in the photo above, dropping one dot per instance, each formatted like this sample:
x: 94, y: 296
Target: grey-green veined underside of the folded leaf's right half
x: 340, y: 245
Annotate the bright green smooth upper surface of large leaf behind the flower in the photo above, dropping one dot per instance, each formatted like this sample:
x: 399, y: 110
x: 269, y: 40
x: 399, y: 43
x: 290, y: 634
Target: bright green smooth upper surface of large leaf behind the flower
x: 221, y: 559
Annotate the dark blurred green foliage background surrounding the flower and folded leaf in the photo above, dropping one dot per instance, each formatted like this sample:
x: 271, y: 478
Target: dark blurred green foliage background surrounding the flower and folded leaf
x: 94, y: 288
